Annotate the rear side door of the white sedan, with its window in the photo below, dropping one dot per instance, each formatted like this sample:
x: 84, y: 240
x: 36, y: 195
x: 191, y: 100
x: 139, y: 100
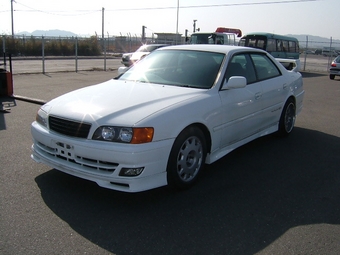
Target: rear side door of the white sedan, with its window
x: 274, y: 89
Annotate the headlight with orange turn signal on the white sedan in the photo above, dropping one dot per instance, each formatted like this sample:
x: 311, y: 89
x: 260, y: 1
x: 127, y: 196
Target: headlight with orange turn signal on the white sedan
x: 124, y: 134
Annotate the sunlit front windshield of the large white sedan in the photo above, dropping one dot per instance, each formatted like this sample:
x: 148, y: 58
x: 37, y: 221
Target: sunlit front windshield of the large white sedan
x: 186, y: 68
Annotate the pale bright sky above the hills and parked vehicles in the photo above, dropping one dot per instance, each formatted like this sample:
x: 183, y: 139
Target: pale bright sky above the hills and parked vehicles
x: 126, y: 18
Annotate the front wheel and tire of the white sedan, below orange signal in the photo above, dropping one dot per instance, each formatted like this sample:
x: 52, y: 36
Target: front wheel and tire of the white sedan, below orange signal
x: 187, y: 158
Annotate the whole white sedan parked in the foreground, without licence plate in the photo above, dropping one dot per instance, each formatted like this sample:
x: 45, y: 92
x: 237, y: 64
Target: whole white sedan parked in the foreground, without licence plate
x: 163, y: 119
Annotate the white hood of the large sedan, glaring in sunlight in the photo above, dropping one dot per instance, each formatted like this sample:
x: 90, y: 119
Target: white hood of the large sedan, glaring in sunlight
x: 118, y: 102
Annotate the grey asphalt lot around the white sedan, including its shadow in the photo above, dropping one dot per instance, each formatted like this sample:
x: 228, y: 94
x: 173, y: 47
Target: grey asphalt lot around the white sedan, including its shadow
x: 271, y: 196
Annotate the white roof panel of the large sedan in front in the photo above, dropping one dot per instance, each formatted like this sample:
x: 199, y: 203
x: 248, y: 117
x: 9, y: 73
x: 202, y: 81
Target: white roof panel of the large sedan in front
x: 225, y: 49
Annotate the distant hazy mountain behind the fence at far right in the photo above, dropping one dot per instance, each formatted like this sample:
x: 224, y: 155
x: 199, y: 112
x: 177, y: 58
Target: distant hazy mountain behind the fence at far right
x: 315, y: 41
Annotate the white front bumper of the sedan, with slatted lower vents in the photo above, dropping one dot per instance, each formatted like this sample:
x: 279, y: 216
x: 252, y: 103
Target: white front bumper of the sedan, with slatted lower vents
x: 102, y: 162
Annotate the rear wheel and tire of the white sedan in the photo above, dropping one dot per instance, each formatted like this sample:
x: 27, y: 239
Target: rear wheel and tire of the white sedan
x: 287, y: 119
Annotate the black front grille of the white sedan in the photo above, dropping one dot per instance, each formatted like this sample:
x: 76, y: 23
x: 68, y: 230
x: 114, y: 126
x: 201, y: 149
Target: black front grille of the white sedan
x: 69, y: 127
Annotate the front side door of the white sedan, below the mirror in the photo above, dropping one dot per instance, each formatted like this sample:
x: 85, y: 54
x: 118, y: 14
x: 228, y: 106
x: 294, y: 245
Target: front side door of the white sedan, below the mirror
x: 240, y: 106
